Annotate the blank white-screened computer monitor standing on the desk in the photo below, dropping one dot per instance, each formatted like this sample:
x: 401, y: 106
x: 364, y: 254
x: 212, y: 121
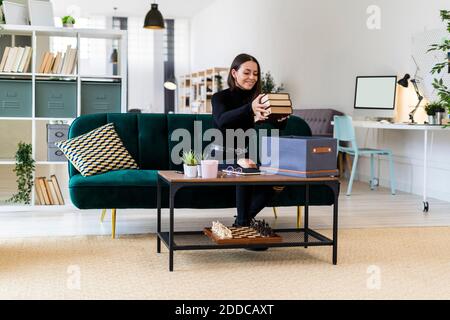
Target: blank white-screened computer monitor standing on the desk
x: 375, y: 97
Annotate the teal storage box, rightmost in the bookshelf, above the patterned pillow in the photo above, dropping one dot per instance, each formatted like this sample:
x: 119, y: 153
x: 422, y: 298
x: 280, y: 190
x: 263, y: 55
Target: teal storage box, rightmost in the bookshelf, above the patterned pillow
x: 100, y: 97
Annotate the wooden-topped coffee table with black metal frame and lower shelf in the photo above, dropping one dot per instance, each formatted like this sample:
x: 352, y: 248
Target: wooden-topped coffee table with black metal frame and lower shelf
x: 197, y: 240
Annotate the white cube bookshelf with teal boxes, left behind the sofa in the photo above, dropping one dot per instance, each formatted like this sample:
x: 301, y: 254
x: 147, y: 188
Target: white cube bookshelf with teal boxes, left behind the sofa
x: 43, y: 91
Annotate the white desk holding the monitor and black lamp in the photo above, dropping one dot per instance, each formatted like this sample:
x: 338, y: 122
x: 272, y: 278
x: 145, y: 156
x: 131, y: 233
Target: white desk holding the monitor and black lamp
x: 404, y: 126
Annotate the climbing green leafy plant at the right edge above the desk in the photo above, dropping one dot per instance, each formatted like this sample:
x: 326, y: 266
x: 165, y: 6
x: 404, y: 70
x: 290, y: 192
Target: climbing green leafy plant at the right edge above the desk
x: 438, y: 84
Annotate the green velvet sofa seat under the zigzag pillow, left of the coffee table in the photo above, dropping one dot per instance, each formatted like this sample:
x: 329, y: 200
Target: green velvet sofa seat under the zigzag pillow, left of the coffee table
x: 121, y: 178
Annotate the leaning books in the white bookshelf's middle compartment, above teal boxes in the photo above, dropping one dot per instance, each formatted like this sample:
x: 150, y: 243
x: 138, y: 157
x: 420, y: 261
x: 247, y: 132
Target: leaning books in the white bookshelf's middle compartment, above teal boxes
x: 59, y: 63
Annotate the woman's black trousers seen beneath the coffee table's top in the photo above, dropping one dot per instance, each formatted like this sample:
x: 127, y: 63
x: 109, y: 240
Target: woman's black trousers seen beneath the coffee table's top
x: 250, y: 200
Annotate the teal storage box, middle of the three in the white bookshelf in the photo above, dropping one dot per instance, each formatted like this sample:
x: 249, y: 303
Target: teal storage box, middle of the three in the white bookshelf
x: 56, y: 99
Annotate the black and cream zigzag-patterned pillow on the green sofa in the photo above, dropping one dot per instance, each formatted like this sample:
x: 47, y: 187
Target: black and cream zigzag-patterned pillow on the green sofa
x: 98, y: 151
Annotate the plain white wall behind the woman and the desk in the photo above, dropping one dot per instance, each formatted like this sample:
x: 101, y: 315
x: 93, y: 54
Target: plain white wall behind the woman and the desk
x: 317, y: 48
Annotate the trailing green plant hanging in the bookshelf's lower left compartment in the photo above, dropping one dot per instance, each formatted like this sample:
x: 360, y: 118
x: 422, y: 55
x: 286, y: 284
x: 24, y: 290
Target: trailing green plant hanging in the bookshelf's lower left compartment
x: 24, y: 172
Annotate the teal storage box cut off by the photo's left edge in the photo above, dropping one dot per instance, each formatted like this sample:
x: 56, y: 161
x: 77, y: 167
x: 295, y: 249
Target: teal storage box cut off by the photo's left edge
x: 15, y: 98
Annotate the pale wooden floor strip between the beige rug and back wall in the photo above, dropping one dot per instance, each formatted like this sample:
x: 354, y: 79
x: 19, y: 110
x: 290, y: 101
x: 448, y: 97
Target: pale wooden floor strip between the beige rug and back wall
x: 364, y: 209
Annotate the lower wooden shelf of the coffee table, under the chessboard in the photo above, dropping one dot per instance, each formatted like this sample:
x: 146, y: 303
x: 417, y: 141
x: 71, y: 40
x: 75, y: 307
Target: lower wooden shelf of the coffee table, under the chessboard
x: 290, y: 238
